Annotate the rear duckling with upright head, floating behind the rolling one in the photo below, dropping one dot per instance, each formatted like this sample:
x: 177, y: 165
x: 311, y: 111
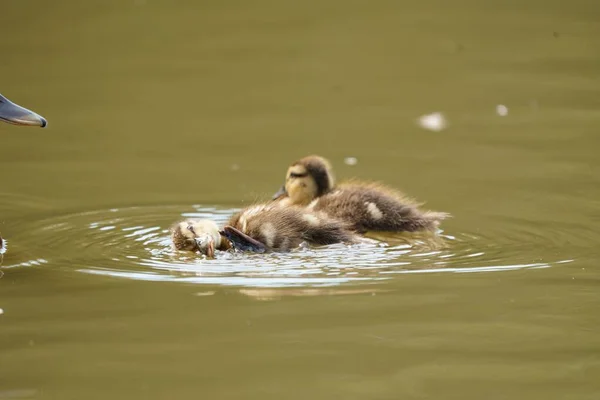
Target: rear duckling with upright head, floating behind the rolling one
x: 367, y: 206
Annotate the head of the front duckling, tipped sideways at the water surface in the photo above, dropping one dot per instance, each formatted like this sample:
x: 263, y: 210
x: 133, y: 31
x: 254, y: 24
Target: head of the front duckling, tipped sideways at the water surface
x: 197, y: 235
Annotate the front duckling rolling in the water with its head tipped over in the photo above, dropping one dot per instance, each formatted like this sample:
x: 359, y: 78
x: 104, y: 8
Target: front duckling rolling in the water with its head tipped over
x: 261, y: 228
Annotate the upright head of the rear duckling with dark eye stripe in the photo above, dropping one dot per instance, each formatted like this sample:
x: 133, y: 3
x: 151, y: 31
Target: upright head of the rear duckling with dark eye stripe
x: 306, y: 179
